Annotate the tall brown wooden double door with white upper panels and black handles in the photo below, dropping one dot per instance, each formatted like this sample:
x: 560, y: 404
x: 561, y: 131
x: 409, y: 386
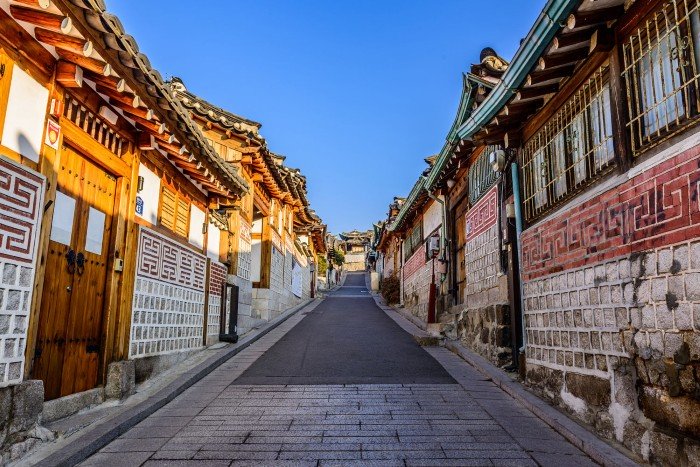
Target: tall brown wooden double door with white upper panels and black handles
x: 70, y: 322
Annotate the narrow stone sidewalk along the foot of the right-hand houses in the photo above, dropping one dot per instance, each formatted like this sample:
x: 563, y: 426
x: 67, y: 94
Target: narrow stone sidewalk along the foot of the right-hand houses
x: 578, y: 435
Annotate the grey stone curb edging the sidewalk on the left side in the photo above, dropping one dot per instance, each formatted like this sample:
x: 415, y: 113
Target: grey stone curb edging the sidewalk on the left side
x: 102, y: 434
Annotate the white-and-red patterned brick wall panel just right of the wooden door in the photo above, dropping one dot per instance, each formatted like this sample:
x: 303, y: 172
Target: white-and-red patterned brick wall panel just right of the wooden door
x: 168, y: 306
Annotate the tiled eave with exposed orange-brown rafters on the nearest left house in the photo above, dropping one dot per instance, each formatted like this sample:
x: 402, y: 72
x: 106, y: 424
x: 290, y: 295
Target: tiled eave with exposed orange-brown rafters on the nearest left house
x: 91, y: 44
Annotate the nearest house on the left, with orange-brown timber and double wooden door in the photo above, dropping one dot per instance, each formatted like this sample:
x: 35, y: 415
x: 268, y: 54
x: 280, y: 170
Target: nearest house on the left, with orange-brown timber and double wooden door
x: 105, y: 187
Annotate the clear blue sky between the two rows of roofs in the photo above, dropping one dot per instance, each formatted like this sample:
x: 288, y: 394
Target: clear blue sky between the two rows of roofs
x: 355, y: 93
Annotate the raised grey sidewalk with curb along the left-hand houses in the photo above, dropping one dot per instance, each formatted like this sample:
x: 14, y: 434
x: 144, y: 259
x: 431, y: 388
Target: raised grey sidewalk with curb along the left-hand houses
x: 84, y: 433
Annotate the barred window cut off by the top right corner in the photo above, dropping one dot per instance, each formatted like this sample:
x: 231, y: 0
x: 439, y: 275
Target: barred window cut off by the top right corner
x: 661, y: 73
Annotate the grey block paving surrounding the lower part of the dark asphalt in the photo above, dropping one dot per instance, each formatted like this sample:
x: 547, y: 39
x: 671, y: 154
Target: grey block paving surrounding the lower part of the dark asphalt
x: 216, y: 422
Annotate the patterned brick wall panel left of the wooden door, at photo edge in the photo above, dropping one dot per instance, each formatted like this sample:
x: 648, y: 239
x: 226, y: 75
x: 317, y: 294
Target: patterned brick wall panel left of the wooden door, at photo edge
x: 21, y: 207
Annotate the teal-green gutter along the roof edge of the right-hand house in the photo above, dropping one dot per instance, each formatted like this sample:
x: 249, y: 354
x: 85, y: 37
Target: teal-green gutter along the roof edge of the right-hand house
x: 540, y: 36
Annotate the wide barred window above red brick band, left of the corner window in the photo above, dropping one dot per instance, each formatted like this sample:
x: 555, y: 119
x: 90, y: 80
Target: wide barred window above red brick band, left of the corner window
x: 571, y: 150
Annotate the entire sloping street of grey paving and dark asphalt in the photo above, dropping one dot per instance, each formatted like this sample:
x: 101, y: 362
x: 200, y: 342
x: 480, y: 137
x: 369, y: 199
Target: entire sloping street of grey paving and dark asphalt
x: 309, y: 394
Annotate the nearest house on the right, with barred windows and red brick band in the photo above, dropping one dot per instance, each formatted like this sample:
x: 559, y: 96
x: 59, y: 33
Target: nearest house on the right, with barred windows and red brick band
x: 598, y: 110
